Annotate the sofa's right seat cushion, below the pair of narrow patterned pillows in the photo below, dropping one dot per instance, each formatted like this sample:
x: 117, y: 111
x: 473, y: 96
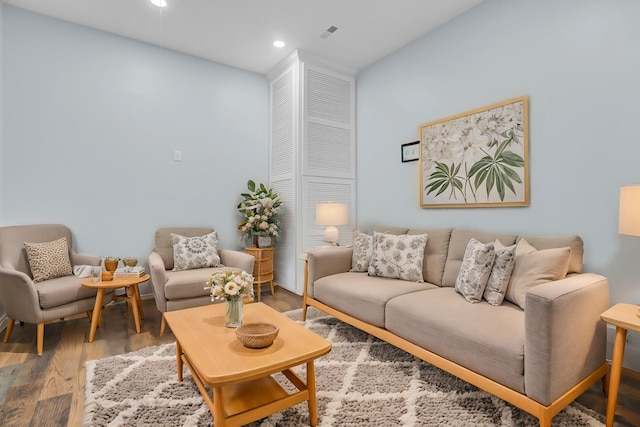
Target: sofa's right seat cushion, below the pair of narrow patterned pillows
x: 483, y: 338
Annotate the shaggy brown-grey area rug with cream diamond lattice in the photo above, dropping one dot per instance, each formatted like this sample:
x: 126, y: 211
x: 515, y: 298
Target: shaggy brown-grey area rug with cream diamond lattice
x: 362, y: 382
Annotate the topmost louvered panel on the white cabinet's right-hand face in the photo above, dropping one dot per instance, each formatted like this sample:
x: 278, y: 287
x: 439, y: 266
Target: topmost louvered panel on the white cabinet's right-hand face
x: 329, y: 96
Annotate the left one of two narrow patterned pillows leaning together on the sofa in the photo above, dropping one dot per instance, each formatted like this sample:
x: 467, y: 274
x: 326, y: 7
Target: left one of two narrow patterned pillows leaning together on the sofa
x: 475, y: 270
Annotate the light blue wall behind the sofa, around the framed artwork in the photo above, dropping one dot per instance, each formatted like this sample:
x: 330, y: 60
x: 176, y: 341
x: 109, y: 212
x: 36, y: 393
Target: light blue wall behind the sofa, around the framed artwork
x: 579, y: 63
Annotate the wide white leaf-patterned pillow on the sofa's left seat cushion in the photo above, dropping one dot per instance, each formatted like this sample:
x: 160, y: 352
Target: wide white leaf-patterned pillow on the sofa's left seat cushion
x: 398, y: 257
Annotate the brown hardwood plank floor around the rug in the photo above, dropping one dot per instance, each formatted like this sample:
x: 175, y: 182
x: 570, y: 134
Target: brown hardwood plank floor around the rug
x: 49, y: 390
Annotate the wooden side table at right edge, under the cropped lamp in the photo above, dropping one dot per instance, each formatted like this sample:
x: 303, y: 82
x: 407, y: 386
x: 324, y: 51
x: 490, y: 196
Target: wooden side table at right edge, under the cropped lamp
x: 625, y: 318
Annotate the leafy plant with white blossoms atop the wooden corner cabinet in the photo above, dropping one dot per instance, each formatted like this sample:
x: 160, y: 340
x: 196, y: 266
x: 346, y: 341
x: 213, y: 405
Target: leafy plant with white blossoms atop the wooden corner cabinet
x: 260, y: 209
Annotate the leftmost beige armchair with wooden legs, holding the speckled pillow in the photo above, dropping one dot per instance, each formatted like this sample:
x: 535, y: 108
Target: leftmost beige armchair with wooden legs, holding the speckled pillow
x: 44, y: 301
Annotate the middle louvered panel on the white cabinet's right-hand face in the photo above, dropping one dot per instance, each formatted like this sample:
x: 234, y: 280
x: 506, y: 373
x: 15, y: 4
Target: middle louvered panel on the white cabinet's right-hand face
x: 328, y: 151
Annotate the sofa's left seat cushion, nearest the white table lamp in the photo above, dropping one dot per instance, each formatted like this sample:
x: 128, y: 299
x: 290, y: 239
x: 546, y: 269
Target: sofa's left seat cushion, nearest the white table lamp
x: 361, y: 296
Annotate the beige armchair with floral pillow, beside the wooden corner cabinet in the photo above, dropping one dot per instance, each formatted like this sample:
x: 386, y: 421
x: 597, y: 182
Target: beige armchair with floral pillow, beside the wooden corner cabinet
x: 176, y: 290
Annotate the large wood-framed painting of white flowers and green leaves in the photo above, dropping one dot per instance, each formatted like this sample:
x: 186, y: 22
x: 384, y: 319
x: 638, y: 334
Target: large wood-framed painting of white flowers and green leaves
x: 476, y: 159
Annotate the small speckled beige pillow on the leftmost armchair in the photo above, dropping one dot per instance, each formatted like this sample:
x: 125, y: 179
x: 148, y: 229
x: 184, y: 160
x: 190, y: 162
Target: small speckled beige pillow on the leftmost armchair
x: 49, y: 260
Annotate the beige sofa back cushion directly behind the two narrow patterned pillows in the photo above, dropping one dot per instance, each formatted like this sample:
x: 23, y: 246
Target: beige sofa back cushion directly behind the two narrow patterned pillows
x: 458, y: 244
